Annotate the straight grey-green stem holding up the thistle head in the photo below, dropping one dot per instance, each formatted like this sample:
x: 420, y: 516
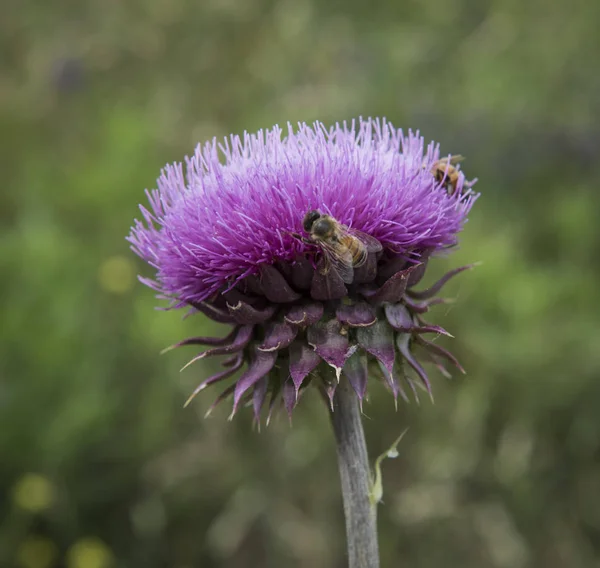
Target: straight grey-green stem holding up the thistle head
x: 355, y: 474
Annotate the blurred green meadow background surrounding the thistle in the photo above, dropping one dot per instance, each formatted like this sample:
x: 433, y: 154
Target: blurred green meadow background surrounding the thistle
x: 100, y: 467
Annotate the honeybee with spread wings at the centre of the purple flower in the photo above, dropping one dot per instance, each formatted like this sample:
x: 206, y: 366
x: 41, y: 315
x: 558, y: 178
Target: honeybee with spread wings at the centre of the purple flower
x: 343, y: 249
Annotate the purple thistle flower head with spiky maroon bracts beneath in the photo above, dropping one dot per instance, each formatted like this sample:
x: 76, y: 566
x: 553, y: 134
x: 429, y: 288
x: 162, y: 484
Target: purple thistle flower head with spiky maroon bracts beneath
x: 228, y: 238
